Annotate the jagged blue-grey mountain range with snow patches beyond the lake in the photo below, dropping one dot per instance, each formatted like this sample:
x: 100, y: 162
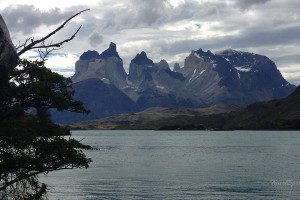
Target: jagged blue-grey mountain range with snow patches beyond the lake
x: 206, y: 79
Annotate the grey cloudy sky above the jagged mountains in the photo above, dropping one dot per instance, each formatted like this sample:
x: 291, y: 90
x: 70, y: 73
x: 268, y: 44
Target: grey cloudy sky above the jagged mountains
x: 164, y: 29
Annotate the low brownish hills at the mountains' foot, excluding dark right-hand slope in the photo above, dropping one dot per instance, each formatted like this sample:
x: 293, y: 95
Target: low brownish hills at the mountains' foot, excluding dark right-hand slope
x: 156, y: 118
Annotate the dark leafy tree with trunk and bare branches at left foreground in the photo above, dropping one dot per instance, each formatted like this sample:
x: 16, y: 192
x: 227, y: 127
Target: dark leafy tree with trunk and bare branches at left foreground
x: 30, y: 143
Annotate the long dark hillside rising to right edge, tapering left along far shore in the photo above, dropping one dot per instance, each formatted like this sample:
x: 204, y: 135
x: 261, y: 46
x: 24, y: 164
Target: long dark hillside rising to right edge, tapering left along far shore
x: 282, y: 114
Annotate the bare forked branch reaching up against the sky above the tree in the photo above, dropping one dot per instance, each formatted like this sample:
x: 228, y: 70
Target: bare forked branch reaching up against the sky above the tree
x: 33, y: 43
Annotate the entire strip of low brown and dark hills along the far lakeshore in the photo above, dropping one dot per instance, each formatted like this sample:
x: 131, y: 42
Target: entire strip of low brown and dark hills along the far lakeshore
x: 283, y: 114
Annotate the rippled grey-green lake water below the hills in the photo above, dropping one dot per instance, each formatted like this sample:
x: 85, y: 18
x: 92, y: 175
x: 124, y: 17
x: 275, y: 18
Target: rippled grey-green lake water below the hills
x: 183, y: 165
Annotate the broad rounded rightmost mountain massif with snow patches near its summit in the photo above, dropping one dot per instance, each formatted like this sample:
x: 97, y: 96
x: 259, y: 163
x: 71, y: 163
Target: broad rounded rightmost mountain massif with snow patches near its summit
x: 233, y: 76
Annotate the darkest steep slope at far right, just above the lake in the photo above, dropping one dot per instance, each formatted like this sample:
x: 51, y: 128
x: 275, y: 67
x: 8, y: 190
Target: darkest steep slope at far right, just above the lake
x: 283, y: 114
